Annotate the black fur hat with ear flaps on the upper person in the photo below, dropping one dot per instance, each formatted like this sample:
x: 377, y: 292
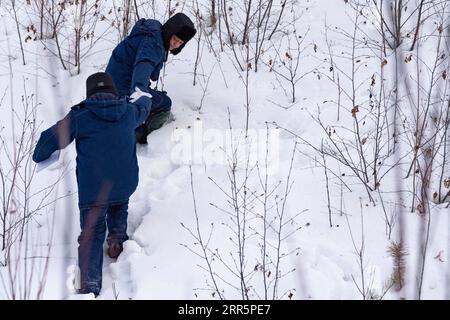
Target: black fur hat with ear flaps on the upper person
x: 181, y: 26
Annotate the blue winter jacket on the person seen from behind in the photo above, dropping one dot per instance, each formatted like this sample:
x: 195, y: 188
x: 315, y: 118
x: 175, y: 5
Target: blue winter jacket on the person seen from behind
x: 103, y: 128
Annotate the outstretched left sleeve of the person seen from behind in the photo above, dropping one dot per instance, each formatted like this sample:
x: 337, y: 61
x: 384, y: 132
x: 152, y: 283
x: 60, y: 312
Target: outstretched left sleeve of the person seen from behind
x: 55, y: 138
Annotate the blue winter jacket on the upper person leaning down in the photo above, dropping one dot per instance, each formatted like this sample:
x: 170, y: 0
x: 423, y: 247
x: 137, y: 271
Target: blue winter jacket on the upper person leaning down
x: 138, y: 58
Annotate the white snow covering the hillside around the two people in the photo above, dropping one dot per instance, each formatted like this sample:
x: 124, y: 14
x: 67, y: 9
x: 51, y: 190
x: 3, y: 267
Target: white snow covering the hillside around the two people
x: 163, y: 258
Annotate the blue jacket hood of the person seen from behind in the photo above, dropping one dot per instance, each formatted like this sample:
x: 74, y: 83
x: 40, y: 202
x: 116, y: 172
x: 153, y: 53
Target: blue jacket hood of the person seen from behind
x: 106, y: 106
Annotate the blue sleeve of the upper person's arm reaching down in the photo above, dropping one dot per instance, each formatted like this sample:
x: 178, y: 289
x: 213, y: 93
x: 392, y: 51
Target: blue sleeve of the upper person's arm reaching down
x: 146, y: 63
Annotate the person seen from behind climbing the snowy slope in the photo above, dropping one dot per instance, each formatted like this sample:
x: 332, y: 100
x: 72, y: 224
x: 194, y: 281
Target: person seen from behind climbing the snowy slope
x: 106, y: 168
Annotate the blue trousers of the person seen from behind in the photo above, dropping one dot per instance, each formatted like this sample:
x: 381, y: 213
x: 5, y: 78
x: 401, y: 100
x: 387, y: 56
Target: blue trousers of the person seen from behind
x: 94, y: 220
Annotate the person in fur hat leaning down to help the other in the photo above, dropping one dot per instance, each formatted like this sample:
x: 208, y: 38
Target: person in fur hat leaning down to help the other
x: 139, y: 58
